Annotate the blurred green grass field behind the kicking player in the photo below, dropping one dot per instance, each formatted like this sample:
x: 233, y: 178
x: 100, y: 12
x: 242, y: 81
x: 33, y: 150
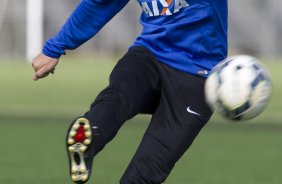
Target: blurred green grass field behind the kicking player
x: 34, y: 117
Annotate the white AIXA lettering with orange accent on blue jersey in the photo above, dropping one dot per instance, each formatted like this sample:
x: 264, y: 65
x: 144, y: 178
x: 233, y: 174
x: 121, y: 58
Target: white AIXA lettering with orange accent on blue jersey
x: 163, y: 7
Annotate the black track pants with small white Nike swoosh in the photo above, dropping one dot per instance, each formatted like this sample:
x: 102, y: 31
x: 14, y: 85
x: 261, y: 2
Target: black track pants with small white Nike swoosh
x: 141, y: 84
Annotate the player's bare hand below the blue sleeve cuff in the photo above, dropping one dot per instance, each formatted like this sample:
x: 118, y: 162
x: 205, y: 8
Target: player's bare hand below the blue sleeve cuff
x: 43, y: 66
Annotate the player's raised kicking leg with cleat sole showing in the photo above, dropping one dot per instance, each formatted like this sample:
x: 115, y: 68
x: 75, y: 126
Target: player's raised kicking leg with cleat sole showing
x: 133, y: 89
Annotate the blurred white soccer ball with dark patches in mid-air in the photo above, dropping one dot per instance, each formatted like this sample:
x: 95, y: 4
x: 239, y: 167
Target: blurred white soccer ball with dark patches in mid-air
x: 239, y: 88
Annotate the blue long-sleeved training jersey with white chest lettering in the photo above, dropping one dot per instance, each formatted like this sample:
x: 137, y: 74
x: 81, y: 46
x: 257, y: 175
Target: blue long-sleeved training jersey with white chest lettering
x: 189, y: 35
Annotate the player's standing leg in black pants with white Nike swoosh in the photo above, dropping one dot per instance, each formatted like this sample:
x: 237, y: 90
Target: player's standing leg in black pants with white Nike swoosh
x: 181, y: 114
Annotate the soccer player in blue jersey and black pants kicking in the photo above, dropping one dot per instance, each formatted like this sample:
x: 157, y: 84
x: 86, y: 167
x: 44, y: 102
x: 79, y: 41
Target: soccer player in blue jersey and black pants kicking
x: 163, y: 74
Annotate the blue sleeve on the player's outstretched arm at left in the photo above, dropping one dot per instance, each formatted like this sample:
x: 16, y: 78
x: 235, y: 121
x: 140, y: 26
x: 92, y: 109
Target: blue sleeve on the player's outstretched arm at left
x: 86, y: 20
